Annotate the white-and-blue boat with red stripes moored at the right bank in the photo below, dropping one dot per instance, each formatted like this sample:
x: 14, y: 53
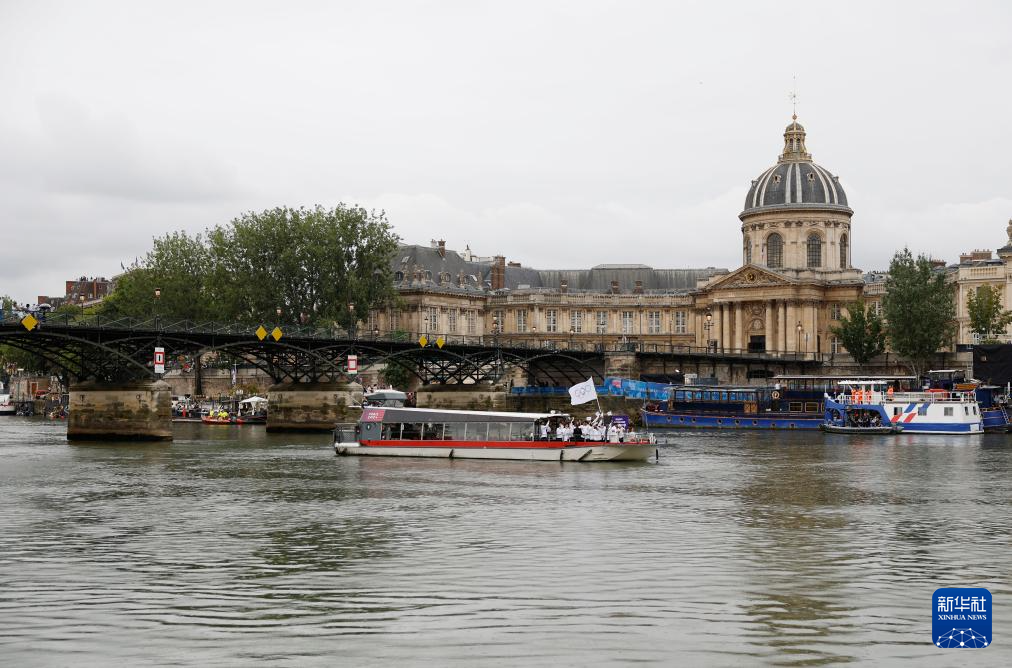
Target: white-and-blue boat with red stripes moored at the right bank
x: 933, y: 412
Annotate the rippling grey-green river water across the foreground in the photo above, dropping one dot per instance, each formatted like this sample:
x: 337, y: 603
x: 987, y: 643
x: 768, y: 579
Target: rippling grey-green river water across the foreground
x: 233, y: 547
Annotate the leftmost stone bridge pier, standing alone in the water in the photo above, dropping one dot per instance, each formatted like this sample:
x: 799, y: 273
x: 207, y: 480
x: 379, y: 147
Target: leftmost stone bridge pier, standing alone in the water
x: 139, y: 410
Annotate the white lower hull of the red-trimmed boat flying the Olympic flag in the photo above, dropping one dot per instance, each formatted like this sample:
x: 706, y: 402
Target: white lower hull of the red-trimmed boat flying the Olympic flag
x: 580, y: 453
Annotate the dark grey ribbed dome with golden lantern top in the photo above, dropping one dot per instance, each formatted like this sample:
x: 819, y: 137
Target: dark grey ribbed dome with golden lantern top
x: 795, y: 182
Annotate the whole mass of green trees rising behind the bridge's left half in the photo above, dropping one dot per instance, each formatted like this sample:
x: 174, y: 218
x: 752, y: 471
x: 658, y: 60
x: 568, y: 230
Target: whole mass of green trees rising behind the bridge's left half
x: 317, y: 266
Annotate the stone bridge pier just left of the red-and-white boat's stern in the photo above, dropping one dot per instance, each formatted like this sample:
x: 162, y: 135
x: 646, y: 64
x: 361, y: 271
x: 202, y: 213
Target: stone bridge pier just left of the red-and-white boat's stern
x: 312, y: 406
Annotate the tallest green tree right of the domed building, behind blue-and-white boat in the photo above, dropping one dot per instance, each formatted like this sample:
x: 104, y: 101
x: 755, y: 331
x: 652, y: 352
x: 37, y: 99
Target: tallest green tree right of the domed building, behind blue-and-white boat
x: 919, y: 310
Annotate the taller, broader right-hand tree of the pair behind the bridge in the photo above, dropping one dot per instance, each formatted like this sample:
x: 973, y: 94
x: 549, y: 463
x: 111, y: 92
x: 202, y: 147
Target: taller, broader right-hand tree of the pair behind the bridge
x: 318, y: 266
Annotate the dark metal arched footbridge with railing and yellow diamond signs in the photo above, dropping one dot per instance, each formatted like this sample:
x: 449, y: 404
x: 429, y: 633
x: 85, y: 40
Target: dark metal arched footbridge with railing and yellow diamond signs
x: 116, y: 350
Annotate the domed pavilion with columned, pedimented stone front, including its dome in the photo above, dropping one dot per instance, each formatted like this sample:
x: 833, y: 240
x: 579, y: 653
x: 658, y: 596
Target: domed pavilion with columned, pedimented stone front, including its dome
x: 797, y: 273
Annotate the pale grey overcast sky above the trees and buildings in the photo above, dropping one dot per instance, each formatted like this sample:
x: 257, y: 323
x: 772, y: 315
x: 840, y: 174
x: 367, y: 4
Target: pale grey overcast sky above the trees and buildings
x: 560, y: 135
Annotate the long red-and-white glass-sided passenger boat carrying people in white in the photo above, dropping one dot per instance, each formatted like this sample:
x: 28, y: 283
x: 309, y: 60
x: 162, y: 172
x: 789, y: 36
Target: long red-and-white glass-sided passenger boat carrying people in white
x: 479, y: 436
